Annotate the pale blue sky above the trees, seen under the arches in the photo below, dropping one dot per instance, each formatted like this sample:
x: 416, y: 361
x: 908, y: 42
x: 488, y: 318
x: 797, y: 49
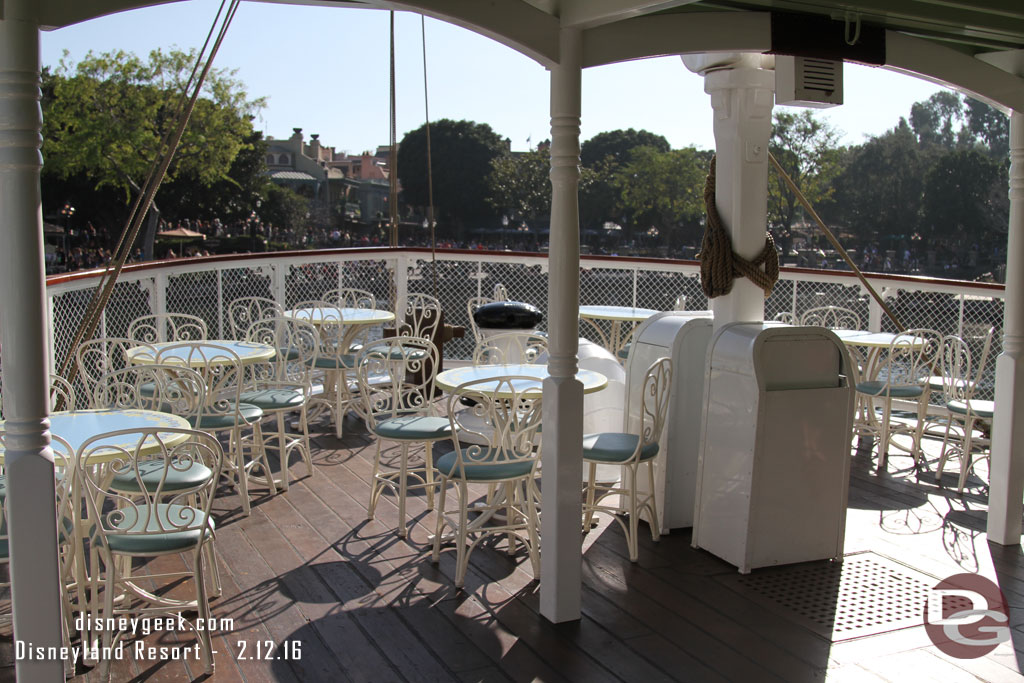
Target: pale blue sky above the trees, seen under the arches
x: 326, y: 71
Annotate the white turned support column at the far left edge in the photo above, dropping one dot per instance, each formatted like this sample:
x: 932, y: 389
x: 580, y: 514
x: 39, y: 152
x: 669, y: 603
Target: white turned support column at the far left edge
x: 28, y: 461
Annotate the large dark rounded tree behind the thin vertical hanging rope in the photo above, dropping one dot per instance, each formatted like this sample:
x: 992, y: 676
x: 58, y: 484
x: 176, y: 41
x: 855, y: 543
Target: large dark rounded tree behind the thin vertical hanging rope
x: 462, y: 152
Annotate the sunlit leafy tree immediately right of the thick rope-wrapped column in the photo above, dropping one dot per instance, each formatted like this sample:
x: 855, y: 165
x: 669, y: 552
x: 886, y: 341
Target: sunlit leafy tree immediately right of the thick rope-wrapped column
x: 806, y: 148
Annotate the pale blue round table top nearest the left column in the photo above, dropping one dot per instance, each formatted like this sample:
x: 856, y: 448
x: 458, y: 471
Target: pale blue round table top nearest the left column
x: 77, y: 428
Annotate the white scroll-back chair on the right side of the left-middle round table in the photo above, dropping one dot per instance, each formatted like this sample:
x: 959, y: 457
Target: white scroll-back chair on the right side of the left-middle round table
x: 284, y: 385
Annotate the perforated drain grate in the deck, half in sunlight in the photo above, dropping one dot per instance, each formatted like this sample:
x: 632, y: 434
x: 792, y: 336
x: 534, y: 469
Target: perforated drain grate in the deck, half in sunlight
x: 864, y: 595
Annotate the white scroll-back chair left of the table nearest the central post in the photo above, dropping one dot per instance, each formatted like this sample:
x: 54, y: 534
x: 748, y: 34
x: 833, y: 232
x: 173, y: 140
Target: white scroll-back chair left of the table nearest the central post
x: 400, y: 408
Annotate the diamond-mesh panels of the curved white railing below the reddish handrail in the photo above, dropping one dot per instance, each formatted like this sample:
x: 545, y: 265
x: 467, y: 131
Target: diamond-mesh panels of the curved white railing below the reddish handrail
x: 645, y: 285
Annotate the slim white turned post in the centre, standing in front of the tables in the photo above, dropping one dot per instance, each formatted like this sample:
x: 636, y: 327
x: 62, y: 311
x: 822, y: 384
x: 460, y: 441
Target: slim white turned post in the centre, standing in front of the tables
x: 562, y: 560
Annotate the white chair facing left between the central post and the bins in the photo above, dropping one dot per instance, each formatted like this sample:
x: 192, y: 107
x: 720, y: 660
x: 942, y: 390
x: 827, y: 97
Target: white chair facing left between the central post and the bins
x: 631, y: 452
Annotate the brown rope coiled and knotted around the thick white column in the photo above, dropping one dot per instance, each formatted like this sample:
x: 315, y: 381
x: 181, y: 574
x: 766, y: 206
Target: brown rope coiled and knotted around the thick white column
x: 719, y: 265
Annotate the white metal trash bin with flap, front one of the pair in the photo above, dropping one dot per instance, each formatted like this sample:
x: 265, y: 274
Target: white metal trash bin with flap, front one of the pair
x: 775, y: 463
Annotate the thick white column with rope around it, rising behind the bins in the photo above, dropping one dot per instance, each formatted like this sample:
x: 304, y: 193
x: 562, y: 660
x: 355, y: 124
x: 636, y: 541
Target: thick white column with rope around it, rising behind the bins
x: 743, y: 95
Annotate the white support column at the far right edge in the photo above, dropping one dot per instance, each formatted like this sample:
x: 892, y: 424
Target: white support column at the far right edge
x: 1007, y: 467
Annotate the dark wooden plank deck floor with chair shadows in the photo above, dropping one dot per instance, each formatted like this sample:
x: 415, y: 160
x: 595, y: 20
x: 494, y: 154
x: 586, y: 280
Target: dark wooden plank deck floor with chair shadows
x: 308, y: 568
